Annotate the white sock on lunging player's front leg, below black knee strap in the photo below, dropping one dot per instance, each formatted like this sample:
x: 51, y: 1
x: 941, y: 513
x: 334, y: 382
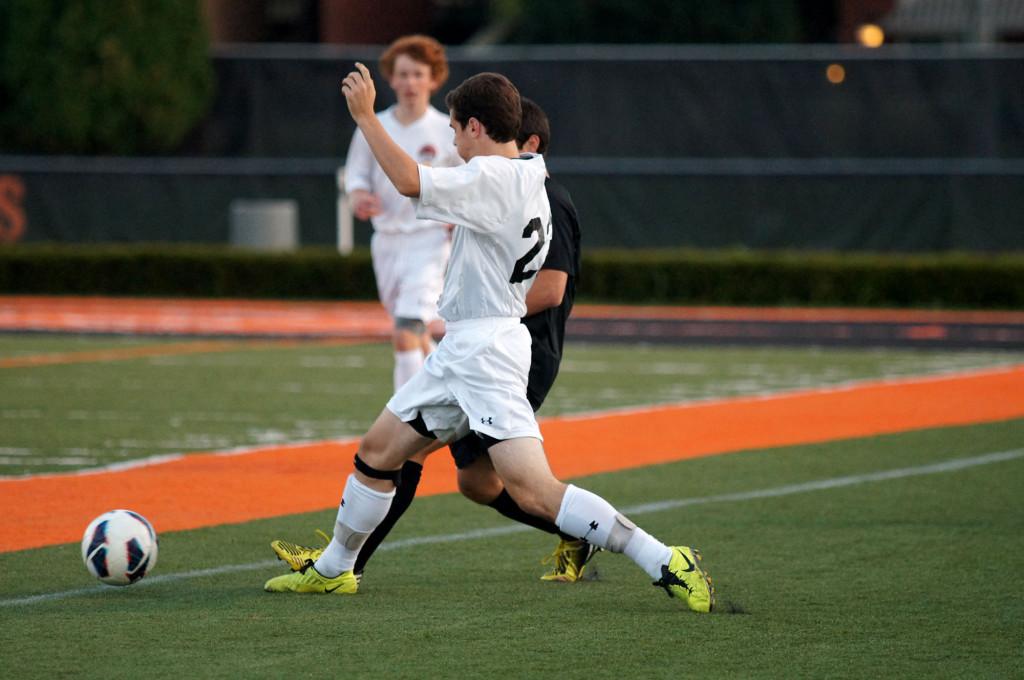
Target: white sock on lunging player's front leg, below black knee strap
x: 361, y: 512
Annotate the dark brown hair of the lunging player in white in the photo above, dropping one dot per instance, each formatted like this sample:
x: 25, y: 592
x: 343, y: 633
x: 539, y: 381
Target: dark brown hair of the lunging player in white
x: 491, y: 99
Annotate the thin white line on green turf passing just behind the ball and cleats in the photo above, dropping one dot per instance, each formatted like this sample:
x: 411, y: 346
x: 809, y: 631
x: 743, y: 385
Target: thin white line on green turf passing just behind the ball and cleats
x: 953, y: 465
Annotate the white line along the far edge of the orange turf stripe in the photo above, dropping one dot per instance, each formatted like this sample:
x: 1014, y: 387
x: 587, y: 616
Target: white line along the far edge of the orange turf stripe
x: 585, y: 415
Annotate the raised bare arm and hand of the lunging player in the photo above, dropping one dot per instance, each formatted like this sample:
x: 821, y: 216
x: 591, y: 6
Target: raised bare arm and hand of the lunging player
x: 397, y: 164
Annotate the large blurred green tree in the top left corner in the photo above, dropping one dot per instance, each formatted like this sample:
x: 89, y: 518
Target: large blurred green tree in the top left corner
x: 111, y: 77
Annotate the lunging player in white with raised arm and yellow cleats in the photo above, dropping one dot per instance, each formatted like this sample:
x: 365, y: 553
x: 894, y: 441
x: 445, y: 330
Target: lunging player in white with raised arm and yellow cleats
x: 477, y: 379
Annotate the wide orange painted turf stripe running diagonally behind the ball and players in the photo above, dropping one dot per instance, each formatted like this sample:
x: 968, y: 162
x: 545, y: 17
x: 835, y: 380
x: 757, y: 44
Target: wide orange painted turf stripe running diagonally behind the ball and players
x: 207, y: 490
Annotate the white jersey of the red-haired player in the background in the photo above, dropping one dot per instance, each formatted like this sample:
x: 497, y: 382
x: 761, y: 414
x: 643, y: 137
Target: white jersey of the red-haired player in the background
x: 430, y: 141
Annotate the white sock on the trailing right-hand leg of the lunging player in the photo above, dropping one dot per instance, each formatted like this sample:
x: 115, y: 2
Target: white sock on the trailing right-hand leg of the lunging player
x: 591, y: 518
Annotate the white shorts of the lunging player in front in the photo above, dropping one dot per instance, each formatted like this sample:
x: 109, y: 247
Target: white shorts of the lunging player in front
x: 476, y: 380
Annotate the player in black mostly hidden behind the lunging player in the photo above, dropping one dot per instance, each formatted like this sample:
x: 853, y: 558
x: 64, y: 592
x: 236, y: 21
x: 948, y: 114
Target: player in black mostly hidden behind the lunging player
x: 549, y: 304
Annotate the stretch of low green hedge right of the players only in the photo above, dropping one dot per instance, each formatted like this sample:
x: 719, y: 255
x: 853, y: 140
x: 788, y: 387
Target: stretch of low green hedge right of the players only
x: 957, y: 280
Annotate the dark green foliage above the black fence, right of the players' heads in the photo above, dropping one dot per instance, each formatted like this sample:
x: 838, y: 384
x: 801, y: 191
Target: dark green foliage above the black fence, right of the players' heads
x: 653, y: 21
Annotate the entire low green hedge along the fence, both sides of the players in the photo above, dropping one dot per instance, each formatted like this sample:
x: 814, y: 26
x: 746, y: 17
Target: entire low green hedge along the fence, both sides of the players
x: 953, y: 281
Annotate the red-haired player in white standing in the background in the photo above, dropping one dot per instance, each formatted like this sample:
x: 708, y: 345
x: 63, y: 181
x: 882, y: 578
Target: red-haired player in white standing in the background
x: 409, y: 254
